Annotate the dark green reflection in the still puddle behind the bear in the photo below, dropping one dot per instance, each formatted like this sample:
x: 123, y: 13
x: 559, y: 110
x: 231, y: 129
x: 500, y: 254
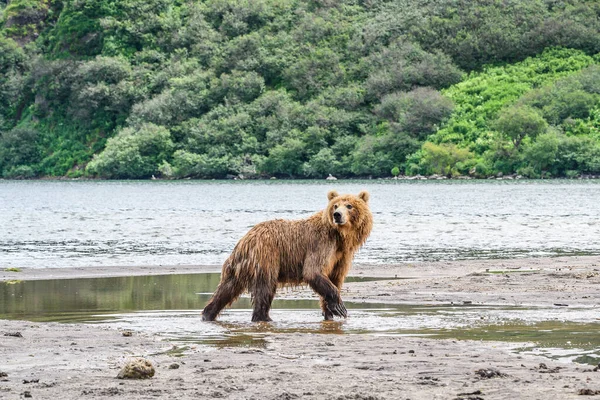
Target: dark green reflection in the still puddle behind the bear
x: 74, y: 299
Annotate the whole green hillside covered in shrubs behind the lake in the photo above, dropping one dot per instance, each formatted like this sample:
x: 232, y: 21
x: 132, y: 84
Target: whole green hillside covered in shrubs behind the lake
x: 207, y: 89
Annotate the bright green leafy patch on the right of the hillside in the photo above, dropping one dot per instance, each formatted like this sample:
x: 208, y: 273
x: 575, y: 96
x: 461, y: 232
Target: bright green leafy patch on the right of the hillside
x: 537, y: 118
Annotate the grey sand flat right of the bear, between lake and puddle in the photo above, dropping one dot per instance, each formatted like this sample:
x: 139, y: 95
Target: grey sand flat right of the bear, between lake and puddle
x: 565, y: 281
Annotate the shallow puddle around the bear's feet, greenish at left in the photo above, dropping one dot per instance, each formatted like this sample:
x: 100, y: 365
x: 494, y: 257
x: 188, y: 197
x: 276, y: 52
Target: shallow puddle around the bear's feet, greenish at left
x: 170, y: 306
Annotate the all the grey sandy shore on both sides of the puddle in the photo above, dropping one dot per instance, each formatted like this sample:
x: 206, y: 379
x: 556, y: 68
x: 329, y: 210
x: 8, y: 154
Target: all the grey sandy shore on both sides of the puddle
x: 81, y: 361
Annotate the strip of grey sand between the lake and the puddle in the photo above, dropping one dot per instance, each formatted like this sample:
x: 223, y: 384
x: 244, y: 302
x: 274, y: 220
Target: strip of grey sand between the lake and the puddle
x: 540, y: 281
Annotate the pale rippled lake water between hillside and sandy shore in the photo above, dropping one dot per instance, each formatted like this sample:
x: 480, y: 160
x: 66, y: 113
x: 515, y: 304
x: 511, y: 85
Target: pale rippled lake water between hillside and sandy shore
x: 92, y: 223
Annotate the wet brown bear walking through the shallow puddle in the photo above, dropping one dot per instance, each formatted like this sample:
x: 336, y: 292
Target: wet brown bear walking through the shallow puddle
x: 317, y: 250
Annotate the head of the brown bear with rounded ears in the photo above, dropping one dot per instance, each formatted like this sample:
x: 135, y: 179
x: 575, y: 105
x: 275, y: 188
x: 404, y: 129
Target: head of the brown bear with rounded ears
x: 349, y: 213
